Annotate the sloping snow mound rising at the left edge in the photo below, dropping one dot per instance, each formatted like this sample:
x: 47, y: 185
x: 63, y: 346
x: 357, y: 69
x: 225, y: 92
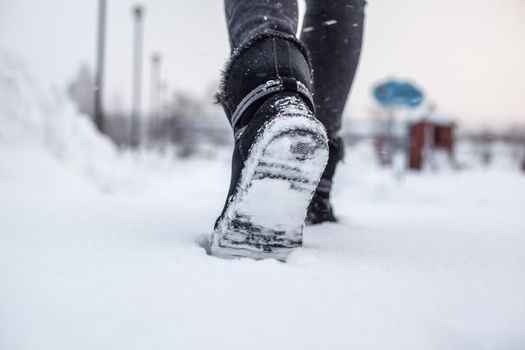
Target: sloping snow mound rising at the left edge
x: 43, y: 121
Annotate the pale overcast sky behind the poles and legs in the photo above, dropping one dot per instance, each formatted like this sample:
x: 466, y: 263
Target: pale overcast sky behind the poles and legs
x: 467, y: 55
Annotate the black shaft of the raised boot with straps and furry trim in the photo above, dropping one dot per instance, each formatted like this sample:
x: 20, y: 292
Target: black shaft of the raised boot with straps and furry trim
x: 264, y: 67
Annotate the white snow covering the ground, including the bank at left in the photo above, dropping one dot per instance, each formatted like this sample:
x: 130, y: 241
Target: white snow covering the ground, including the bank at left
x: 101, y: 250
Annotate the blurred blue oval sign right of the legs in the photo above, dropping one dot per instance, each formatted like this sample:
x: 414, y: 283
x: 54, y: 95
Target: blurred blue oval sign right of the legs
x: 398, y: 94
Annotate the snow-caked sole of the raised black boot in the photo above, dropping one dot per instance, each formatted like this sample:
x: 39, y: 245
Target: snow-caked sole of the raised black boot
x: 265, y: 217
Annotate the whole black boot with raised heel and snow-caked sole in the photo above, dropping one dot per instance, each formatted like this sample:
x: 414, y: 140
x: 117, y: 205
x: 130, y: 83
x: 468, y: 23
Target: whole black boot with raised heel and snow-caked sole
x: 279, y: 155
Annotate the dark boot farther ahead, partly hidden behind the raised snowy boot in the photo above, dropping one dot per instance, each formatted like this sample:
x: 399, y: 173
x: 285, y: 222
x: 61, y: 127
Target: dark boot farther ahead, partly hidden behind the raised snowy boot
x: 320, y: 209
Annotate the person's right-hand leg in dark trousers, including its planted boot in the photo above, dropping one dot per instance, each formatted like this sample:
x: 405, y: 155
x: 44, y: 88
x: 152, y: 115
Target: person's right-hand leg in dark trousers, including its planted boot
x: 332, y: 31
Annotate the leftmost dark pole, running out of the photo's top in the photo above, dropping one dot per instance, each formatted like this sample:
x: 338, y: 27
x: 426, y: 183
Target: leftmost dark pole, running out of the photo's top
x: 99, y: 74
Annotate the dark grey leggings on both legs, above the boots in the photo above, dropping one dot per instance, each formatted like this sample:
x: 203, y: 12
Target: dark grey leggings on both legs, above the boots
x: 332, y: 32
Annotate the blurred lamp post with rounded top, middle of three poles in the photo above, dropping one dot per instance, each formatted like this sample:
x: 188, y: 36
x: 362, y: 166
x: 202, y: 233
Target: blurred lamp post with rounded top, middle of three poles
x: 138, y: 12
